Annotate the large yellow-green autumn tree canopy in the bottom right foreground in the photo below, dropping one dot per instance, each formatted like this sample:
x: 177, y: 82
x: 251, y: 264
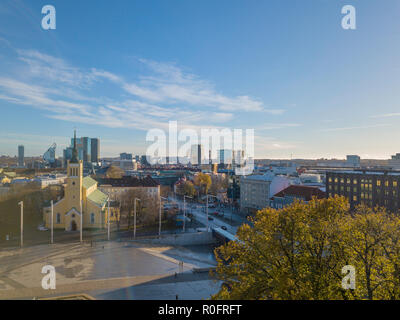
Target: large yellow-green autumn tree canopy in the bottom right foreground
x: 298, y: 252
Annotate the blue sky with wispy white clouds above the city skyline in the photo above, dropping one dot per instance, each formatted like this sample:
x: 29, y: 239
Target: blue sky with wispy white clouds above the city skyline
x: 286, y: 68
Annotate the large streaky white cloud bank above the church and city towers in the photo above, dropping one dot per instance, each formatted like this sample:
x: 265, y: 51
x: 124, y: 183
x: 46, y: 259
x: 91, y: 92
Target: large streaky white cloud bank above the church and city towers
x: 70, y: 93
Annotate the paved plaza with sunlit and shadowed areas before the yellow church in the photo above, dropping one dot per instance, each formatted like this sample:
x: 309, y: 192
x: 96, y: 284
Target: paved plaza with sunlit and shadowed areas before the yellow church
x: 108, y: 270
